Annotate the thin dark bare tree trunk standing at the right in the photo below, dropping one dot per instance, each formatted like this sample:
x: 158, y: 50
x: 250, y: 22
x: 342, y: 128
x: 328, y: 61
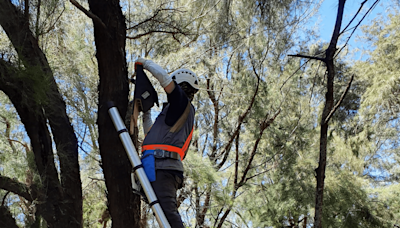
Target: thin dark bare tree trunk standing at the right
x: 329, y: 104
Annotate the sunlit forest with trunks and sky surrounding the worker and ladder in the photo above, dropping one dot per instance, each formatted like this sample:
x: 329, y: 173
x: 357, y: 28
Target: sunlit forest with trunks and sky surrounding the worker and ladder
x: 290, y: 131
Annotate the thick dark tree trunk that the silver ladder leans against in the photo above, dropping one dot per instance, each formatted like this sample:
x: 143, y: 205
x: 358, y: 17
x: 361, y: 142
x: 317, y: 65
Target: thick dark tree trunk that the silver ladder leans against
x: 110, y: 36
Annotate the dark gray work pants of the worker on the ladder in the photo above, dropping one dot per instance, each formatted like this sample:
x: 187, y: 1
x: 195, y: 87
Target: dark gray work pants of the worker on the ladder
x: 165, y: 187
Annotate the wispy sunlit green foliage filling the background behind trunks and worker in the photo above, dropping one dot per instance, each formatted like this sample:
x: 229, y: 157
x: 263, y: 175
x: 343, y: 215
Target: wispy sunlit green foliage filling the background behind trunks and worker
x: 238, y: 49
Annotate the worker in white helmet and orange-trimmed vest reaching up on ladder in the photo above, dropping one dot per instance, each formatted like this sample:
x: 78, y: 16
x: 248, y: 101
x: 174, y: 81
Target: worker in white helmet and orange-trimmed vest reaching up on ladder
x: 168, y: 139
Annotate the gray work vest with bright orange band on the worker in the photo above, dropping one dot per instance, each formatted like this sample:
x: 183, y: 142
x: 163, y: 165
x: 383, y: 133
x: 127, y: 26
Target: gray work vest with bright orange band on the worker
x: 161, y: 137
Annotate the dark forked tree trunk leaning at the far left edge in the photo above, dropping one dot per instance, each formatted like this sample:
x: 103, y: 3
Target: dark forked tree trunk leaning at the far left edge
x: 61, y: 193
